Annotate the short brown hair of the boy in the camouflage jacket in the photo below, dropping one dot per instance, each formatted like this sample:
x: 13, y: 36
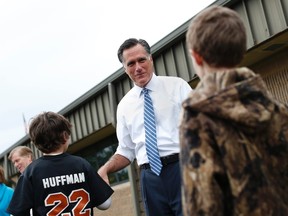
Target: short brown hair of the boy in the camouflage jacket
x: 218, y: 35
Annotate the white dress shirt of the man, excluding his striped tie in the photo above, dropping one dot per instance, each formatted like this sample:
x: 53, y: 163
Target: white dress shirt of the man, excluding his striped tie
x: 167, y: 94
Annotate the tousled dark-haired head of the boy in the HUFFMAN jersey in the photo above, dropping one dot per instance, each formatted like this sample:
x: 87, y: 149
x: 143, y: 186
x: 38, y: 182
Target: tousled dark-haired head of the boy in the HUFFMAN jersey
x: 49, y: 131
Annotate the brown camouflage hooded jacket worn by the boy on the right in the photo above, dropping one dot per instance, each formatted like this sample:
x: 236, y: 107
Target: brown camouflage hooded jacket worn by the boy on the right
x: 234, y: 148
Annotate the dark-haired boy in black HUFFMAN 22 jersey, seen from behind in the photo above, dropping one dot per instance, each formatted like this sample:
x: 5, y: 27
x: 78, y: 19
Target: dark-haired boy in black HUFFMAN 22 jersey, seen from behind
x: 57, y: 183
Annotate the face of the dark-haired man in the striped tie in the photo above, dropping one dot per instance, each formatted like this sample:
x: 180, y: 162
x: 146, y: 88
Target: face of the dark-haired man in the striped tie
x: 138, y: 65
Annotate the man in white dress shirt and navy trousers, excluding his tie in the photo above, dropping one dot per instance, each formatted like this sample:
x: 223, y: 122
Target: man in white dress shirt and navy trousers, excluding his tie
x: 161, y: 193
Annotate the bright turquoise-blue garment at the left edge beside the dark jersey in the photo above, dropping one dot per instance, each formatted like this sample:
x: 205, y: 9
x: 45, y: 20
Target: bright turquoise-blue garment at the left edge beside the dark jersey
x: 6, y: 194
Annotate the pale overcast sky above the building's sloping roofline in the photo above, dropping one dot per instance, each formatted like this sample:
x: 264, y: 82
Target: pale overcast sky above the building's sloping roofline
x: 52, y: 52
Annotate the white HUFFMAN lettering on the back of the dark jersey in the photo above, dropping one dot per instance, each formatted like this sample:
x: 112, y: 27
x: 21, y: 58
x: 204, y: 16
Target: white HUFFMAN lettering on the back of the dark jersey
x: 63, y: 180
